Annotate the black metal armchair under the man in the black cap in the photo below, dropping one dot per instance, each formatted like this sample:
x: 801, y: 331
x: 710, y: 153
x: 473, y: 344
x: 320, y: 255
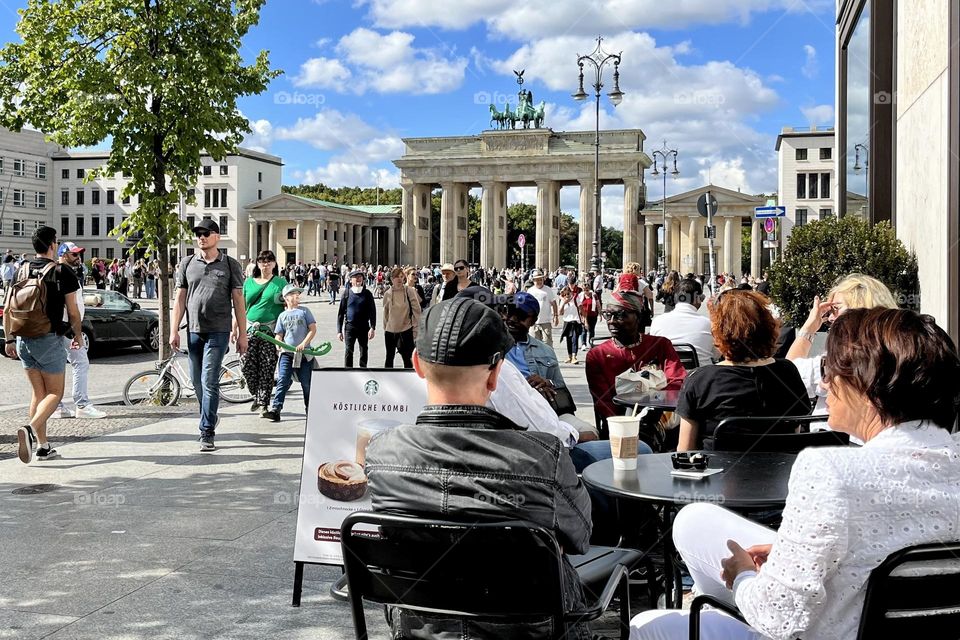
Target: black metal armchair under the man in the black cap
x: 509, y: 572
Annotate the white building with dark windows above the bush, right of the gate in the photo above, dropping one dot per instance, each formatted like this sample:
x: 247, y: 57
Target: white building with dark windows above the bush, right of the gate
x: 806, y: 177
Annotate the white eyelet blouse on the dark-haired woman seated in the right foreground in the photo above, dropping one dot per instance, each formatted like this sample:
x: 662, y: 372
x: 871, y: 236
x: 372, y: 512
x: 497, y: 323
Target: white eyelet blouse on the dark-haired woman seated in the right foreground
x: 848, y: 509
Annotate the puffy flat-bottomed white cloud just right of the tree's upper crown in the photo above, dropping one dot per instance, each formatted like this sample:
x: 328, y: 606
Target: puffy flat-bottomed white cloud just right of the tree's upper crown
x: 383, y: 63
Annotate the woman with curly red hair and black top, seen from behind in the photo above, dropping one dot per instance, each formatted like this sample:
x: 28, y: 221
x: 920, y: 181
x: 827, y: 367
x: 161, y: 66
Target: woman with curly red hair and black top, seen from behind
x: 748, y: 382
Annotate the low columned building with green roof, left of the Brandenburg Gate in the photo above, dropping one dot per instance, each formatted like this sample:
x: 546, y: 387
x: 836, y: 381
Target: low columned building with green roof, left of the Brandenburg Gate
x: 300, y: 229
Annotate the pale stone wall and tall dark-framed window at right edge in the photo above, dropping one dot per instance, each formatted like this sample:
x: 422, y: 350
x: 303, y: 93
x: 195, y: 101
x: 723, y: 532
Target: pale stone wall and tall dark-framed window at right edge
x: 898, y: 104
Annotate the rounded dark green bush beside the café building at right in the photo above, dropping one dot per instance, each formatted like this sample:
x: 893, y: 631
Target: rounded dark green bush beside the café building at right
x: 820, y: 253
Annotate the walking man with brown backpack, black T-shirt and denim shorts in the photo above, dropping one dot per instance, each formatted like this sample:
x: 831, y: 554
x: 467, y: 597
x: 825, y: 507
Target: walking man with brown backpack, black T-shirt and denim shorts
x: 33, y: 325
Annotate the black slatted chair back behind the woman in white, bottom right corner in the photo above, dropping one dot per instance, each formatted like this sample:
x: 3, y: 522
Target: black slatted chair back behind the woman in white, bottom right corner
x: 914, y: 593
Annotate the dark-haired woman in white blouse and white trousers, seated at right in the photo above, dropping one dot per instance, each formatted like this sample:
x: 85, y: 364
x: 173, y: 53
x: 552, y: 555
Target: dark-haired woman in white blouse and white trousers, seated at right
x: 893, y: 381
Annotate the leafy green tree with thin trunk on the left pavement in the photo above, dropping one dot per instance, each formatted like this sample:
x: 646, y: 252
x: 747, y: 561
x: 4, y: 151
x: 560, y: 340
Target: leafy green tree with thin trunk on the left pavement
x: 158, y: 78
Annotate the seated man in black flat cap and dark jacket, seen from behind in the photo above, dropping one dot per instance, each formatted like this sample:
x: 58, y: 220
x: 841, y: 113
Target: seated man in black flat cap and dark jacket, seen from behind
x: 462, y: 460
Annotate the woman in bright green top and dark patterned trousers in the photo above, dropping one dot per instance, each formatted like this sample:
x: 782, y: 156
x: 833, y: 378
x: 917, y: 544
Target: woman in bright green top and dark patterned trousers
x: 263, y: 293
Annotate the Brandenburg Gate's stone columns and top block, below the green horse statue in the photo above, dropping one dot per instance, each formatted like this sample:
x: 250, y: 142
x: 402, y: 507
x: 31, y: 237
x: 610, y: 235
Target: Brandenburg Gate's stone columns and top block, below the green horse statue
x: 498, y: 160
